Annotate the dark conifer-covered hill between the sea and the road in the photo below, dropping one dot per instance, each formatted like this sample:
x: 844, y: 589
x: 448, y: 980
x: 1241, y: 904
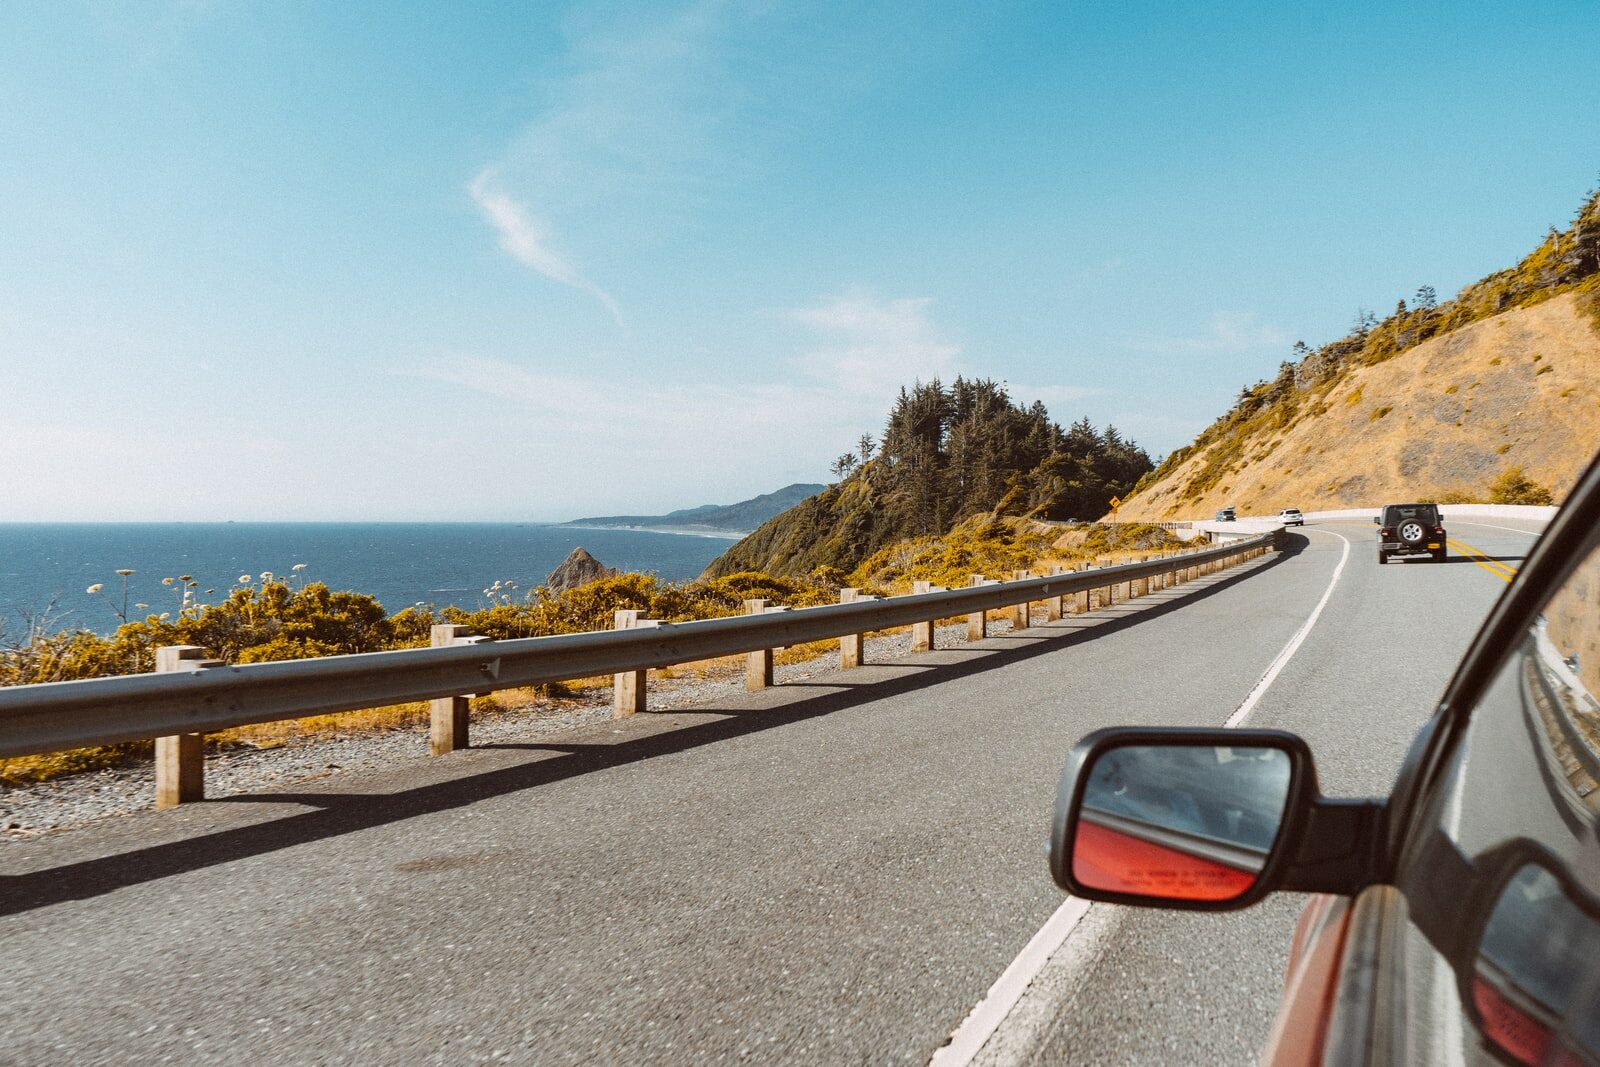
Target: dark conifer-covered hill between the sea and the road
x: 948, y: 454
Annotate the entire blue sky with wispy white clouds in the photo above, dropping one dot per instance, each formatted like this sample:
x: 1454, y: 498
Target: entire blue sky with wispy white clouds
x: 532, y: 262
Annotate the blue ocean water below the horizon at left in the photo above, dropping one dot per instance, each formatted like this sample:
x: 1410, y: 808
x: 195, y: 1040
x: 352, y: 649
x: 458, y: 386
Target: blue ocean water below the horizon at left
x: 50, y: 565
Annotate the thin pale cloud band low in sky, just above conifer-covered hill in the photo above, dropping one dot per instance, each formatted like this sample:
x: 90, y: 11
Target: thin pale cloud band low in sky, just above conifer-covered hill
x: 852, y: 356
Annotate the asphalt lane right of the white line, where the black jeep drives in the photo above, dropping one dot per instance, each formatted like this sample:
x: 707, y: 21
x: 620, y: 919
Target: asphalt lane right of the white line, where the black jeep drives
x: 1185, y: 988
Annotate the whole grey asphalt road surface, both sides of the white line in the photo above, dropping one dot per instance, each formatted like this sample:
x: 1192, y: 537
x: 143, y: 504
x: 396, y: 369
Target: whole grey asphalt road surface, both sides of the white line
x: 833, y: 871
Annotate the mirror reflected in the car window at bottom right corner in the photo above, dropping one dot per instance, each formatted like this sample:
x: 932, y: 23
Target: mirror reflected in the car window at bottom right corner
x: 1532, y: 983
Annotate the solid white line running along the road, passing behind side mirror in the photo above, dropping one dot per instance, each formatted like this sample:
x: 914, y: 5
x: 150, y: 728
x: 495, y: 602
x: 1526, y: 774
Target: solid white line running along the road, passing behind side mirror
x: 969, y: 1039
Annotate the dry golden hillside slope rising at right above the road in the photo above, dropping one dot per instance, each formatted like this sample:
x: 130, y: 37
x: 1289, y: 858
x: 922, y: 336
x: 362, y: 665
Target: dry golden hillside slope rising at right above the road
x: 1436, y: 402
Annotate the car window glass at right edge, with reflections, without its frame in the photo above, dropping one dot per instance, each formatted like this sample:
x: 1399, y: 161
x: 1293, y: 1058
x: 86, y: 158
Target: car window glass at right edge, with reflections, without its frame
x: 1503, y: 885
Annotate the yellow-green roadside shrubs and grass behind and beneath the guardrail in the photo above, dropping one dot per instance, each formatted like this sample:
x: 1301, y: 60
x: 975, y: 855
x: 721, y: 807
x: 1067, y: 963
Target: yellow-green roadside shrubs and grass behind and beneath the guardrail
x: 279, y: 618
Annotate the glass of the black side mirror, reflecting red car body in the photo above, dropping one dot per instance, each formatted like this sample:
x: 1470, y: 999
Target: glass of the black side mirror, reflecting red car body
x: 1190, y: 823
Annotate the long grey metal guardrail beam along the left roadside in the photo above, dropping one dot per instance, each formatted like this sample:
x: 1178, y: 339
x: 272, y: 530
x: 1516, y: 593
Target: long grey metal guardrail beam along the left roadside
x: 202, y: 697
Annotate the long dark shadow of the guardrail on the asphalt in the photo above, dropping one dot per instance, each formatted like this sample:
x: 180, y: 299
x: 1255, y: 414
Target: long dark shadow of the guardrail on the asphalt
x: 350, y: 813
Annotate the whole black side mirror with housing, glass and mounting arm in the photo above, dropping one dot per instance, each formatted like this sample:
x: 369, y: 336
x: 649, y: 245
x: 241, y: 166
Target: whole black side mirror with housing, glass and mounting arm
x: 1209, y: 820
